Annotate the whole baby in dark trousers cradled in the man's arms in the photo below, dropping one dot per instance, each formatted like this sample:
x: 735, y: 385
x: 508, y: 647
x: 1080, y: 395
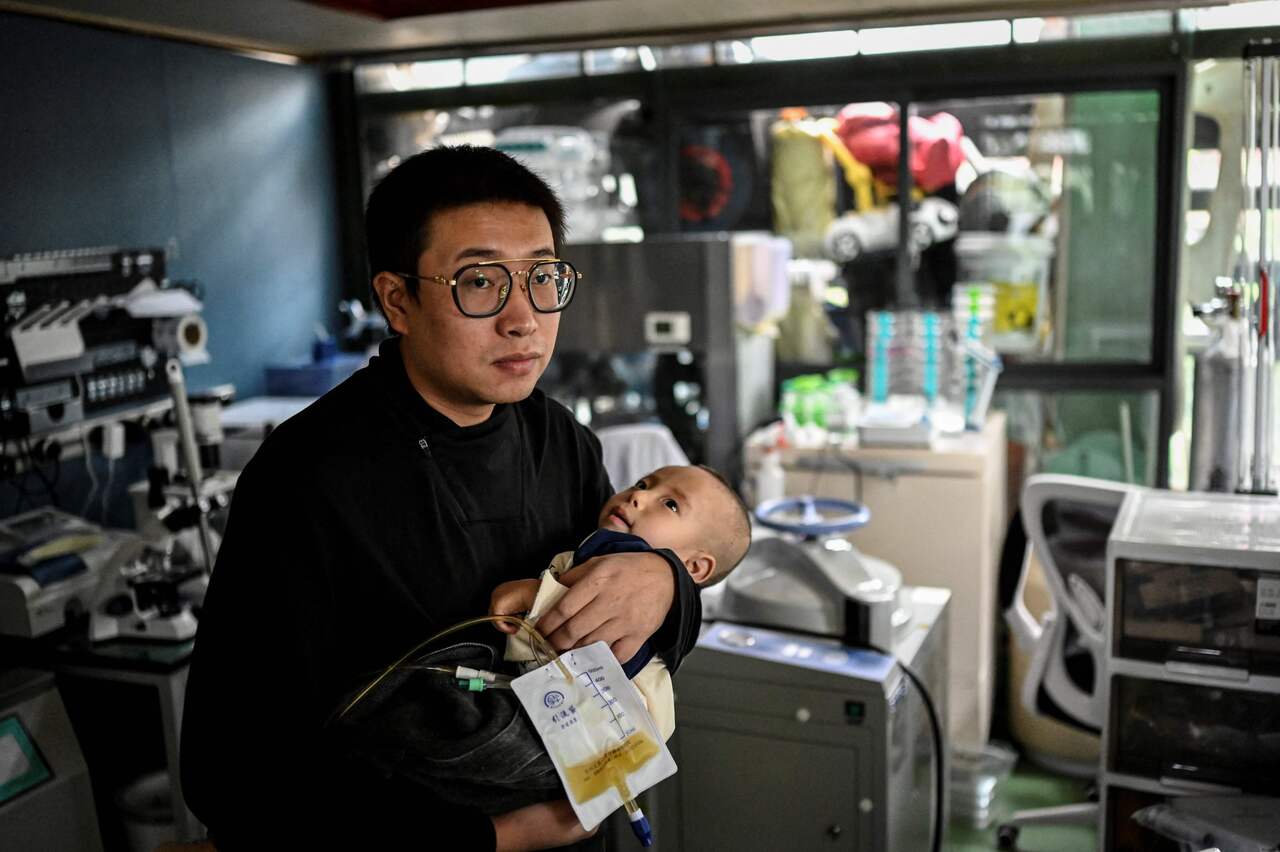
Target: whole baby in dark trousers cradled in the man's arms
x: 478, y: 749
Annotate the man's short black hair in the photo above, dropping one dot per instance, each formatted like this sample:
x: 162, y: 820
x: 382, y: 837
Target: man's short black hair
x: 400, y: 210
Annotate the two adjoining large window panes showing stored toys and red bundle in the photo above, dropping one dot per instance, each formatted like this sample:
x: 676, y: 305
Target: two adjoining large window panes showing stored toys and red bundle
x: 1034, y: 218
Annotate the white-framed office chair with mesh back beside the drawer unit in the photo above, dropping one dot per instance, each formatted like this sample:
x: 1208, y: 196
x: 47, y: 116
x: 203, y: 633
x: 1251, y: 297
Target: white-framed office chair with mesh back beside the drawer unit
x: 1067, y: 521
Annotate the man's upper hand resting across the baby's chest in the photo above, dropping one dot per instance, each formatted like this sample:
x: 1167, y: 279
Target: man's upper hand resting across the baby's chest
x: 620, y: 599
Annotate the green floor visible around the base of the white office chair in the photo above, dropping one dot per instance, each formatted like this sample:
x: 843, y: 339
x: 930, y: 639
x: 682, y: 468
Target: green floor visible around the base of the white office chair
x: 1031, y: 787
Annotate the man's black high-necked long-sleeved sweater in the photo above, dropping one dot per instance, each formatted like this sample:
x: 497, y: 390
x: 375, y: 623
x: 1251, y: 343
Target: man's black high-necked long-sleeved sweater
x: 364, y: 525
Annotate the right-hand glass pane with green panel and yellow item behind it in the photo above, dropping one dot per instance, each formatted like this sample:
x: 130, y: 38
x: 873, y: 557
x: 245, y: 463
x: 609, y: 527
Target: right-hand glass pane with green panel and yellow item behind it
x: 1058, y: 223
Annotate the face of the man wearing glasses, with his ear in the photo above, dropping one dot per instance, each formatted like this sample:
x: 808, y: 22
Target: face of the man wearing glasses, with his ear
x: 463, y: 367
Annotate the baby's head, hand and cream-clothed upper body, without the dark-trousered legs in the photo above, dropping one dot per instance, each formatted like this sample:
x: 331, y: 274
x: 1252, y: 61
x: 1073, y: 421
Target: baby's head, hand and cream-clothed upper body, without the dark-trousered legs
x: 691, y: 511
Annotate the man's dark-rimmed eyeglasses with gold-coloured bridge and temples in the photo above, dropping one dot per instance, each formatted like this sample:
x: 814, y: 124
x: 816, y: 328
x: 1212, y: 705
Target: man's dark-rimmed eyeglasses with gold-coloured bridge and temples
x: 482, y: 290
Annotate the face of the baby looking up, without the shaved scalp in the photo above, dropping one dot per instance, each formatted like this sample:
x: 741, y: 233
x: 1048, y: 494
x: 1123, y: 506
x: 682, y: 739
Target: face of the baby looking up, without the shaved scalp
x: 669, y: 509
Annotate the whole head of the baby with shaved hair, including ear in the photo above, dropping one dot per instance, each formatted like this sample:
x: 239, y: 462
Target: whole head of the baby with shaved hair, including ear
x: 691, y: 511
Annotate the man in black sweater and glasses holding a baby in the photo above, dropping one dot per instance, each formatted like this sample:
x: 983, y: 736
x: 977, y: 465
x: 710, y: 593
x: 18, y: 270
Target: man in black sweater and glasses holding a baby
x: 391, y: 510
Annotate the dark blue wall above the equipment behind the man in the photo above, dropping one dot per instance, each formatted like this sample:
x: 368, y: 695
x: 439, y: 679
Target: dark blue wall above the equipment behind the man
x: 118, y: 140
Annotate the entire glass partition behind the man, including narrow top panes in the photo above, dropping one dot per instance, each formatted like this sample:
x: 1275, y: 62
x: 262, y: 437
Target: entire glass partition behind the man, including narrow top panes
x: 1031, y: 227
